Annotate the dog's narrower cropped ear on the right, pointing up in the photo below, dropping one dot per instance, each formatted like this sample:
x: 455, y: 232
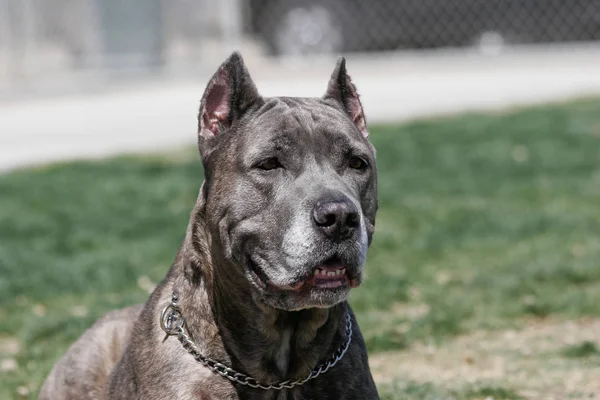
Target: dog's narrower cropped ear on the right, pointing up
x: 342, y: 90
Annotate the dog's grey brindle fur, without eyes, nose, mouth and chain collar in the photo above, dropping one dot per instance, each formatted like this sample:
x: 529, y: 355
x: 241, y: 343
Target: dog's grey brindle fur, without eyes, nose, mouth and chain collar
x: 126, y: 355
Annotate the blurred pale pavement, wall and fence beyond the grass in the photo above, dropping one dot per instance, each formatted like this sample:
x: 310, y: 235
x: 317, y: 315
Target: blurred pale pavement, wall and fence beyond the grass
x: 409, y: 57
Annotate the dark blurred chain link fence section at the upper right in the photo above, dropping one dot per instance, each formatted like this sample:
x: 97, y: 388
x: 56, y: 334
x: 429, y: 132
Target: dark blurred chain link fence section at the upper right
x: 312, y: 26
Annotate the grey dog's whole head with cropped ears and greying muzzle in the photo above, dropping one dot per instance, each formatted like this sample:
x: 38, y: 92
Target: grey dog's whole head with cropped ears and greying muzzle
x: 290, y: 187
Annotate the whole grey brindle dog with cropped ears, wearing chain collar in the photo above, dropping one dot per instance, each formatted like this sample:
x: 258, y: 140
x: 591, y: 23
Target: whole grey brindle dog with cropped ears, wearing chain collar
x: 255, y: 303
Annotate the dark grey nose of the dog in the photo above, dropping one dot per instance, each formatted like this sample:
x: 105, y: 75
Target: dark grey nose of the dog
x: 337, y: 219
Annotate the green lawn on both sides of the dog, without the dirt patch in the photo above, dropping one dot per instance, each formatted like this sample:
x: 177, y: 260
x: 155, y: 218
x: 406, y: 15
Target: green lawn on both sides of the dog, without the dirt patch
x: 485, y: 222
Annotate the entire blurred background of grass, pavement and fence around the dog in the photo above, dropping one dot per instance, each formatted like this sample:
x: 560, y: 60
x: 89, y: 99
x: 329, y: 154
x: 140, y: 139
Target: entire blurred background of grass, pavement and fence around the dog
x: 483, y: 279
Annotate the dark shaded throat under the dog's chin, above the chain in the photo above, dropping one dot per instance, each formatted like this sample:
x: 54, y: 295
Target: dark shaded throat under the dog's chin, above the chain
x: 270, y: 344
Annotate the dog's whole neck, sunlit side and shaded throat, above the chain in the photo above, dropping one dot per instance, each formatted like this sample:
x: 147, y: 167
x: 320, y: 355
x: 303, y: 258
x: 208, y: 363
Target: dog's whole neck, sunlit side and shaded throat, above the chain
x: 228, y: 324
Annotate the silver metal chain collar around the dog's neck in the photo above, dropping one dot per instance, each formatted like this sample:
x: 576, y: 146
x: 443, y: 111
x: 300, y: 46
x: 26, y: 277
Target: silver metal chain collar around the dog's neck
x: 173, y: 323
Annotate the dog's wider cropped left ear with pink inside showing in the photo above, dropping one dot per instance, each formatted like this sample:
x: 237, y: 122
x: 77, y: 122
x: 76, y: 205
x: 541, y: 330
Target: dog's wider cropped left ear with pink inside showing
x: 229, y: 94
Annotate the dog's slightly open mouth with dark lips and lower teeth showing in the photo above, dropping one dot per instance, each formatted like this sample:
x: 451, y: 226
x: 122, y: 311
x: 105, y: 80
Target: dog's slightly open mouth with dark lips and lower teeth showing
x: 329, y: 275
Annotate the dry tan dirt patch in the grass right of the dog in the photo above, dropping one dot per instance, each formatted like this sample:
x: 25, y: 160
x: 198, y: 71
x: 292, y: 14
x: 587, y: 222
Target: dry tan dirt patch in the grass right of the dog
x: 529, y: 361
